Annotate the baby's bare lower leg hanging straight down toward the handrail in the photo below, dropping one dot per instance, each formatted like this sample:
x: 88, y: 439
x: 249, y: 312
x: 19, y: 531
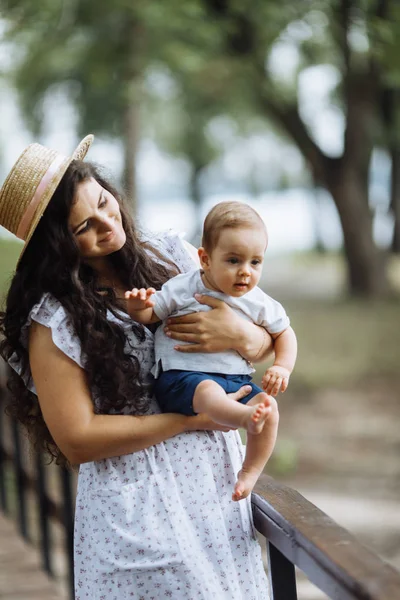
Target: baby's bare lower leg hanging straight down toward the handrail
x: 258, y: 451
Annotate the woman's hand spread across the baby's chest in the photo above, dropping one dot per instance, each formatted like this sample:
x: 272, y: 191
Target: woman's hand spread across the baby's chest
x: 218, y: 330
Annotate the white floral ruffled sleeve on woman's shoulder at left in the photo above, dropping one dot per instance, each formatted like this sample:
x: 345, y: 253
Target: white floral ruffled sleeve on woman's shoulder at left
x: 50, y: 313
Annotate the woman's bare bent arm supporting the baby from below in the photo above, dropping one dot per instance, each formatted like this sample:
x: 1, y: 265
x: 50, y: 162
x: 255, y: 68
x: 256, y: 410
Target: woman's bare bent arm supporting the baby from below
x: 67, y: 409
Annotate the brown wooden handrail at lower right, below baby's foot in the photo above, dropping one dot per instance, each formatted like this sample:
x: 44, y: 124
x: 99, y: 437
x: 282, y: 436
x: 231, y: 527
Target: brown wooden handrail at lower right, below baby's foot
x: 328, y: 554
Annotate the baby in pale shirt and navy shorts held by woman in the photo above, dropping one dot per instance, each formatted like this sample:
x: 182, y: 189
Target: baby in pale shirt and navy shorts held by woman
x: 231, y: 258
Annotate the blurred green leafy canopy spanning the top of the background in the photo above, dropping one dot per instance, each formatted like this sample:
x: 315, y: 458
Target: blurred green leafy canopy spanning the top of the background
x: 218, y: 53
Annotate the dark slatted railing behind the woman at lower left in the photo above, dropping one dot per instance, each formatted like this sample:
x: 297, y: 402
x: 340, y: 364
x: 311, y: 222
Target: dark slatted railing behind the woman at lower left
x: 36, y: 495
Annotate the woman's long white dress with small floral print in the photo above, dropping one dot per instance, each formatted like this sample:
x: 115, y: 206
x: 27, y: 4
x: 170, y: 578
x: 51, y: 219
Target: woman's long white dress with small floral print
x: 160, y: 523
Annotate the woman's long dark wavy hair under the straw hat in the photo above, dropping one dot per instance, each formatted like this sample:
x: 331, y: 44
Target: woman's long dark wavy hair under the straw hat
x: 52, y: 263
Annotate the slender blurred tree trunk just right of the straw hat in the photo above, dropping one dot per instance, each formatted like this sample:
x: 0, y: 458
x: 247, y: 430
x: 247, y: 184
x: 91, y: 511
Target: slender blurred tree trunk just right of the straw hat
x: 130, y: 141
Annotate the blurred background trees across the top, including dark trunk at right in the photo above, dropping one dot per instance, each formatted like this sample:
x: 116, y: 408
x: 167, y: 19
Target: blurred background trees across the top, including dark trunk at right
x: 220, y: 60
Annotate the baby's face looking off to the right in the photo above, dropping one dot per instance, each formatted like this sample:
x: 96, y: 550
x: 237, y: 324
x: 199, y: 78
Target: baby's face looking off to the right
x: 234, y: 266
